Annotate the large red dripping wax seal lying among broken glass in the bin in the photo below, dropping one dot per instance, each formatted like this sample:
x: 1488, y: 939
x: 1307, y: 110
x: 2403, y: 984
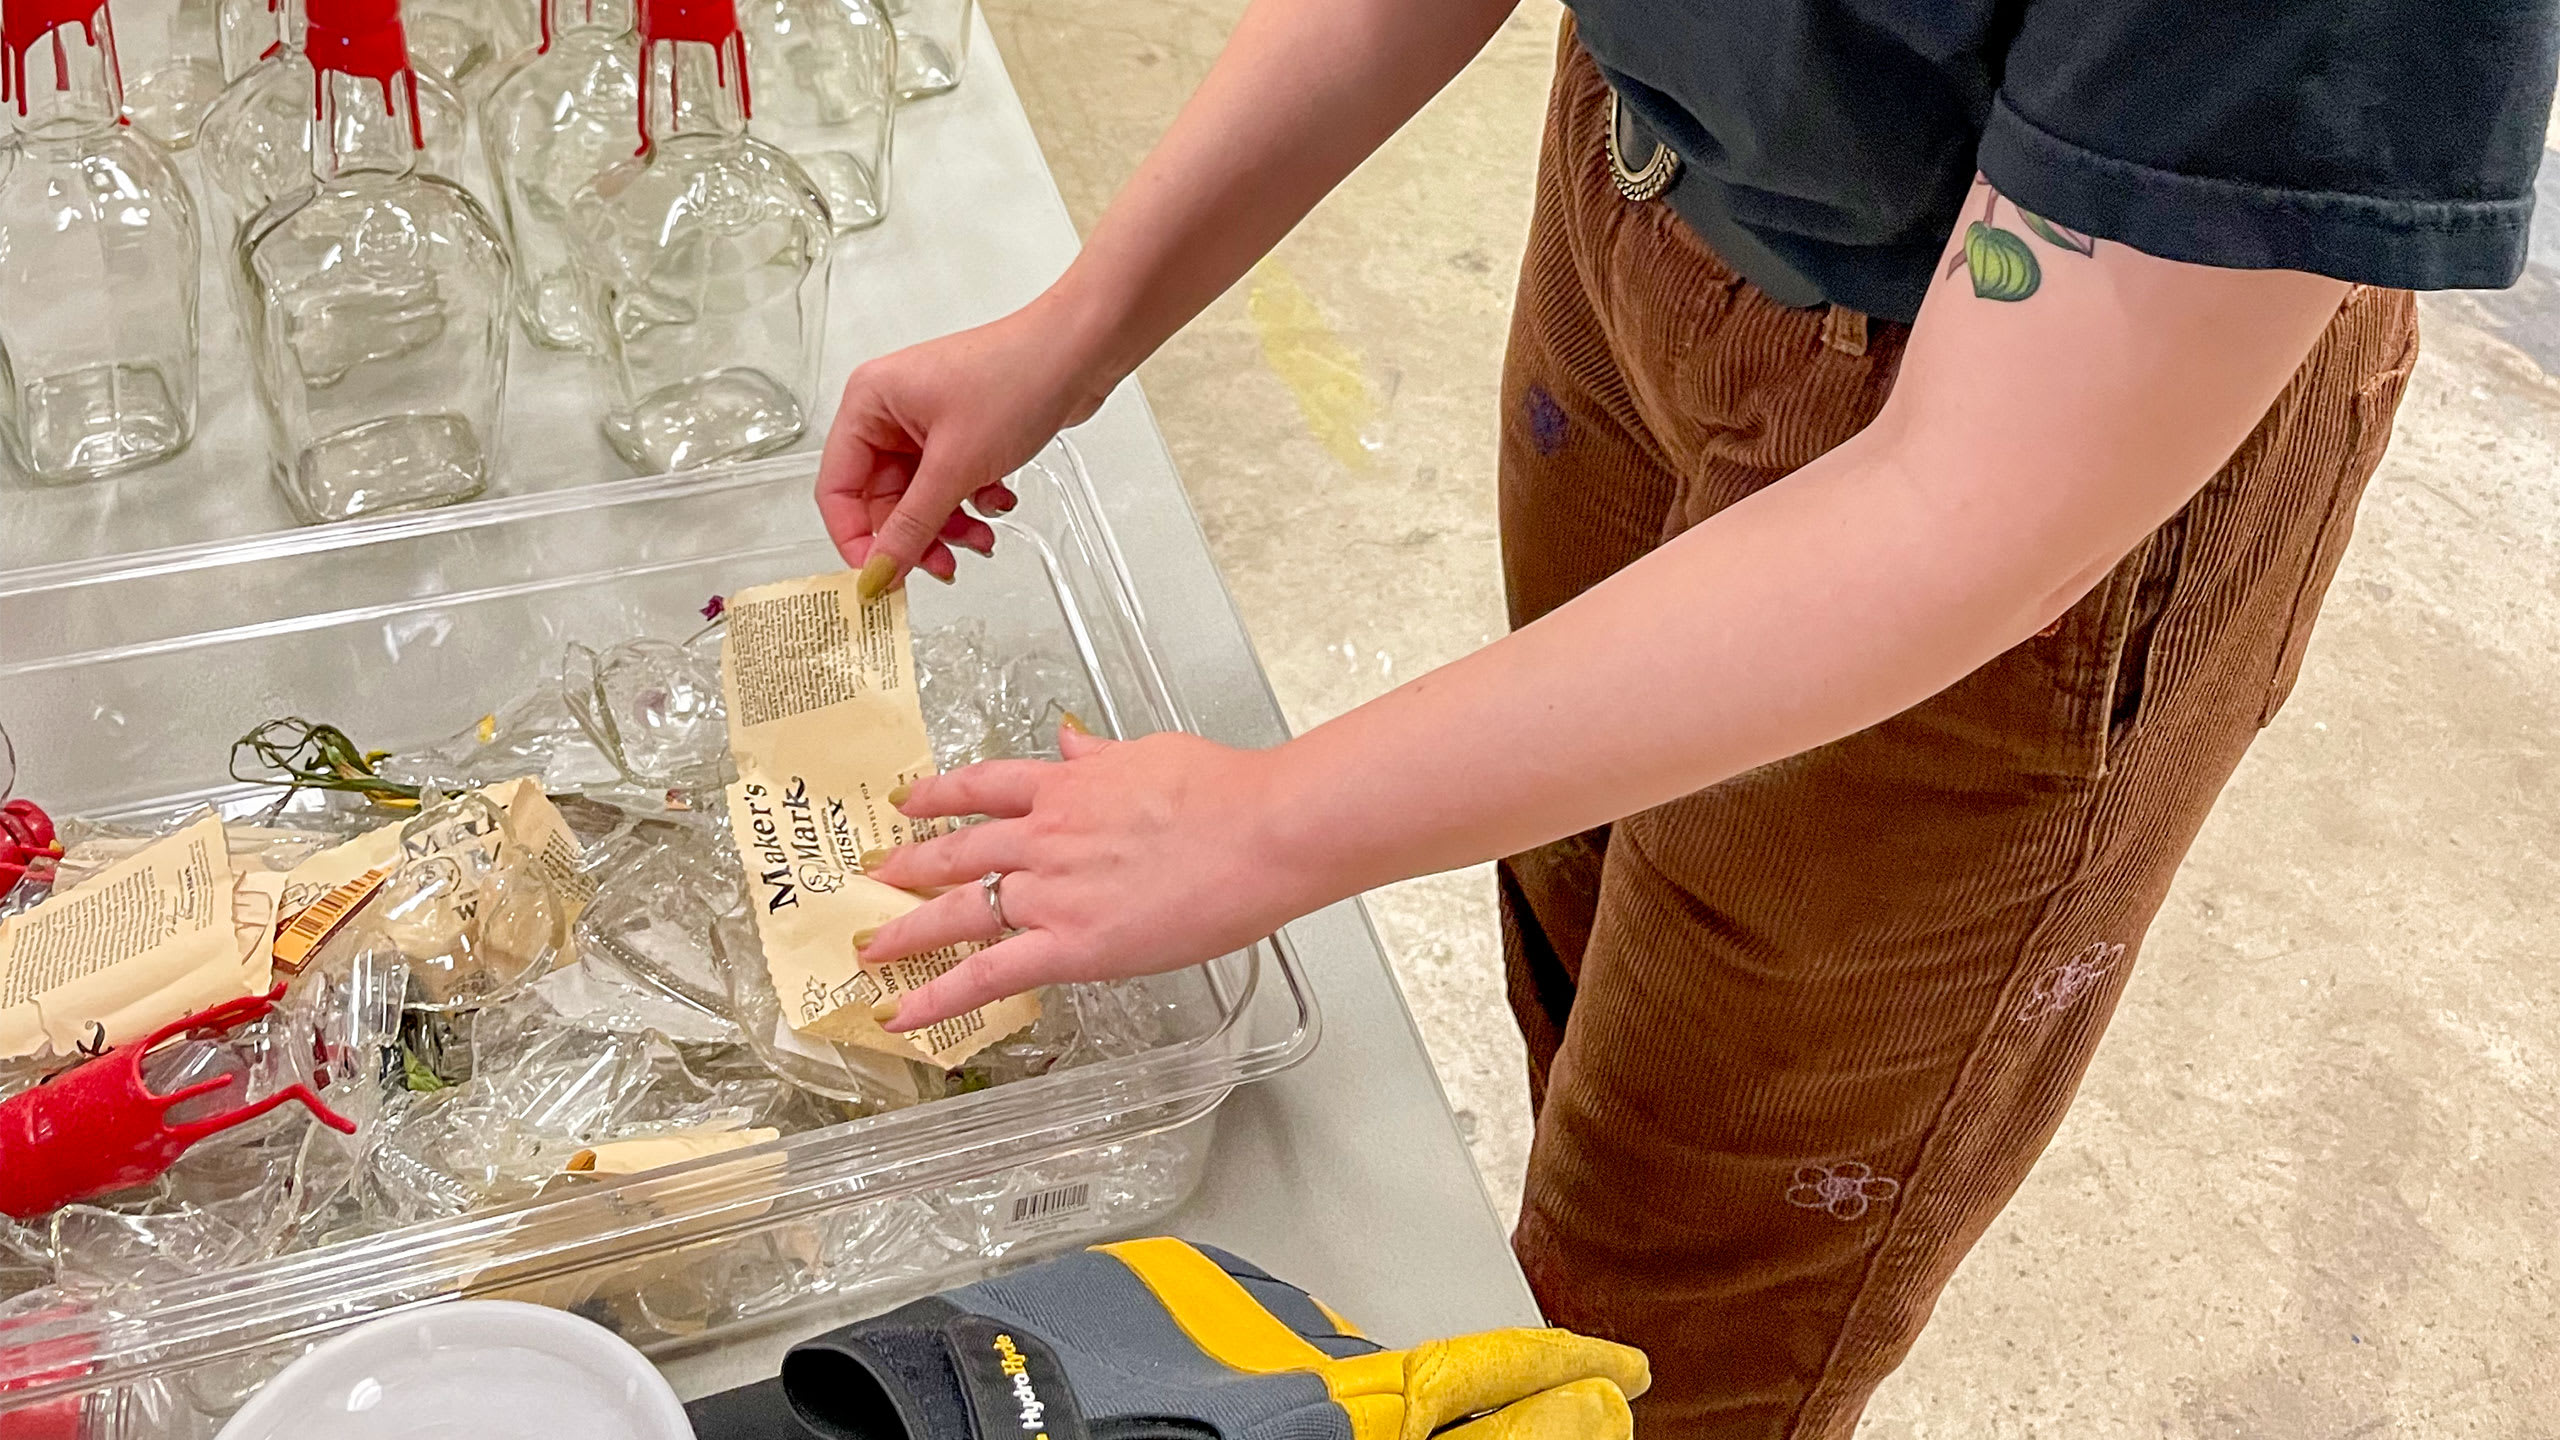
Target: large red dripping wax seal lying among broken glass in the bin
x: 99, y: 1129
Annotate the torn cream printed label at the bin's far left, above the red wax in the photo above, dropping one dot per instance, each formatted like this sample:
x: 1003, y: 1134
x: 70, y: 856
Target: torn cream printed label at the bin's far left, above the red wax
x: 152, y: 939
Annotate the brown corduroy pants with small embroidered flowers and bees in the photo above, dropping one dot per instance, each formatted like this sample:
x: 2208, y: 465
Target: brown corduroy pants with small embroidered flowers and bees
x: 1798, y: 1039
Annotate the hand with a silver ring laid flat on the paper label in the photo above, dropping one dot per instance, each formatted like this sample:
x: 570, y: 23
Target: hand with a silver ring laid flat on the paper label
x: 1125, y: 860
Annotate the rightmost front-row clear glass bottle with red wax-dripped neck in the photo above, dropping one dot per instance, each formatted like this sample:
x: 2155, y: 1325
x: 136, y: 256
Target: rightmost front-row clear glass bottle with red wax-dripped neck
x: 703, y: 260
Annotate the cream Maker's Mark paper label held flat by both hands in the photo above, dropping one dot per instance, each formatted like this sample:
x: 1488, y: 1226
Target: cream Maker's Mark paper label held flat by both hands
x: 826, y: 724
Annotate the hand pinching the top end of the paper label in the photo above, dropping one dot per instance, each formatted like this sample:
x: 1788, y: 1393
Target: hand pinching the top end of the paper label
x: 946, y: 421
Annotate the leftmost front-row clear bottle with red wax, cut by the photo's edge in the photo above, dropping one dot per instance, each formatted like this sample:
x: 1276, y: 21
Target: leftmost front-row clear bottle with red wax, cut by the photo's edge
x: 99, y: 260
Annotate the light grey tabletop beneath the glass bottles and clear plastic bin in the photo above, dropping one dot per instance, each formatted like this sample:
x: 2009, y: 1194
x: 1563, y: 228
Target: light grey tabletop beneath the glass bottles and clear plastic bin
x: 1345, y: 1175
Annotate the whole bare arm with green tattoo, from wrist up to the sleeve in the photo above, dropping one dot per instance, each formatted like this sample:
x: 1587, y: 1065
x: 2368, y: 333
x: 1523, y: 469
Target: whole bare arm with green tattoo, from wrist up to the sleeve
x: 1952, y: 529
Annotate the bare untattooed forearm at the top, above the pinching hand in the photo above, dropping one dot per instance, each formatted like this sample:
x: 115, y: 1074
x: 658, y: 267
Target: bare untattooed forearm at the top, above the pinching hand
x: 1302, y: 94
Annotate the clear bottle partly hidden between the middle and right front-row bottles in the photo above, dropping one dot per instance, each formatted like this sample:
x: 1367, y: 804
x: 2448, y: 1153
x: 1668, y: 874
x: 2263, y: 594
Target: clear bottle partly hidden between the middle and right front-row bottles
x: 562, y: 119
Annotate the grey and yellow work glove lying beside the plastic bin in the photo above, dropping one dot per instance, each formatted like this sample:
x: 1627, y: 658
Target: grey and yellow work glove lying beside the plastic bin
x: 1166, y: 1341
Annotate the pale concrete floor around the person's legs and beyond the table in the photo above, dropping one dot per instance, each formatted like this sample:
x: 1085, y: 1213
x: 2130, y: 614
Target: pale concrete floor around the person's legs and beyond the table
x: 2313, y: 1182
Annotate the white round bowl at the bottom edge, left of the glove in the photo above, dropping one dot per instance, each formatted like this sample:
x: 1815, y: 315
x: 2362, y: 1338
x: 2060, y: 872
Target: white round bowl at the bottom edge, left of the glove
x: 477, y: 1370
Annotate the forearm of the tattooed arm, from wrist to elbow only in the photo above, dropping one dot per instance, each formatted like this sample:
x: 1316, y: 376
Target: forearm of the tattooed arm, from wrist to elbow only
x: 1811, y: 611
